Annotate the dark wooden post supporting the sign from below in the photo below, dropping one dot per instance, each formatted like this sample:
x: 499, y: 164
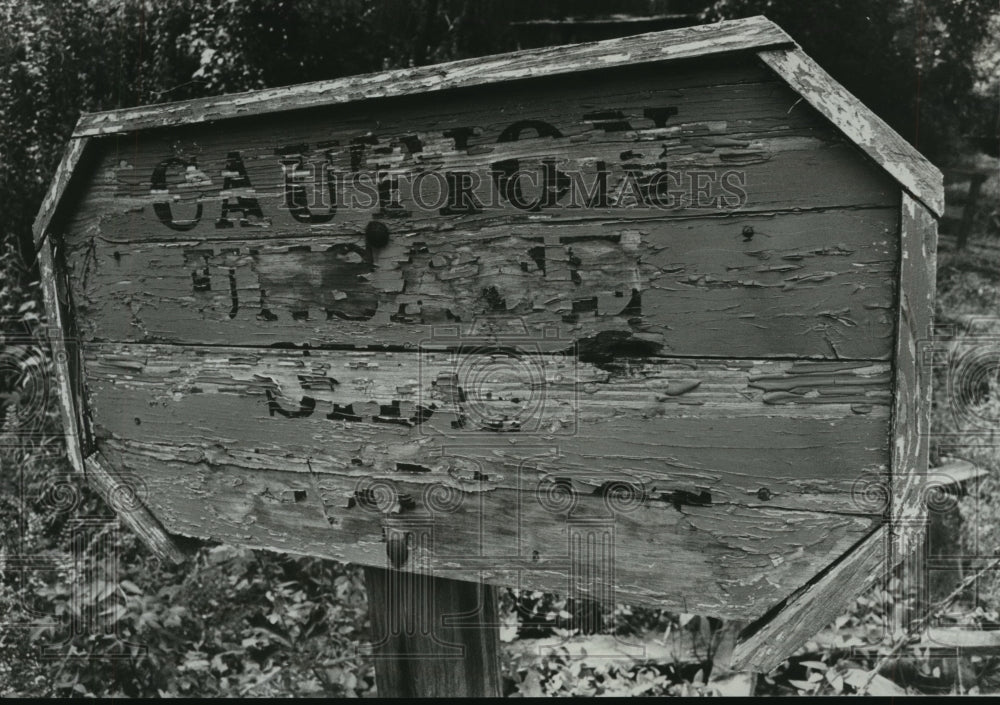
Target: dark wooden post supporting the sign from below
x: 433, y: 637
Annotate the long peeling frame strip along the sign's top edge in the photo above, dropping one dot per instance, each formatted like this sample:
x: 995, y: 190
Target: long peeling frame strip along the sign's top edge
x: 689, y: 42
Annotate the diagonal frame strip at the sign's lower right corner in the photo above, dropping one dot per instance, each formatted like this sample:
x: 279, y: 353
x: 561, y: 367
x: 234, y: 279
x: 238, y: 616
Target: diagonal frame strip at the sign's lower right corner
x: 800, y: 617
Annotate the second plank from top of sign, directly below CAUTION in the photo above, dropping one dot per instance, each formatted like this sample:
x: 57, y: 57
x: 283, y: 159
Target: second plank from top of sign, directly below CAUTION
x: 808, y: 284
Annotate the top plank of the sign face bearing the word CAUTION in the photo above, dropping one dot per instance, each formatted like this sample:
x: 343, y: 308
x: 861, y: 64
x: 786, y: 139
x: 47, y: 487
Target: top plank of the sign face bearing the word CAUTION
x: 725, y: 127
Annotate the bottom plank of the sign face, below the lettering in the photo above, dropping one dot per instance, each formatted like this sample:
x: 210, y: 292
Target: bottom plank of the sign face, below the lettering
x: 736, y: 560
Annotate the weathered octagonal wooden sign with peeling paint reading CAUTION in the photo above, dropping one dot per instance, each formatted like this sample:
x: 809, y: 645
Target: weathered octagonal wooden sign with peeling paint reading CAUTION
x: 639, y: 318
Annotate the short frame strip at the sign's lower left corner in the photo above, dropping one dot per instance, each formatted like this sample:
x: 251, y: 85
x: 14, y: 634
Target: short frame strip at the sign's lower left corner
x: 126, y: 495
